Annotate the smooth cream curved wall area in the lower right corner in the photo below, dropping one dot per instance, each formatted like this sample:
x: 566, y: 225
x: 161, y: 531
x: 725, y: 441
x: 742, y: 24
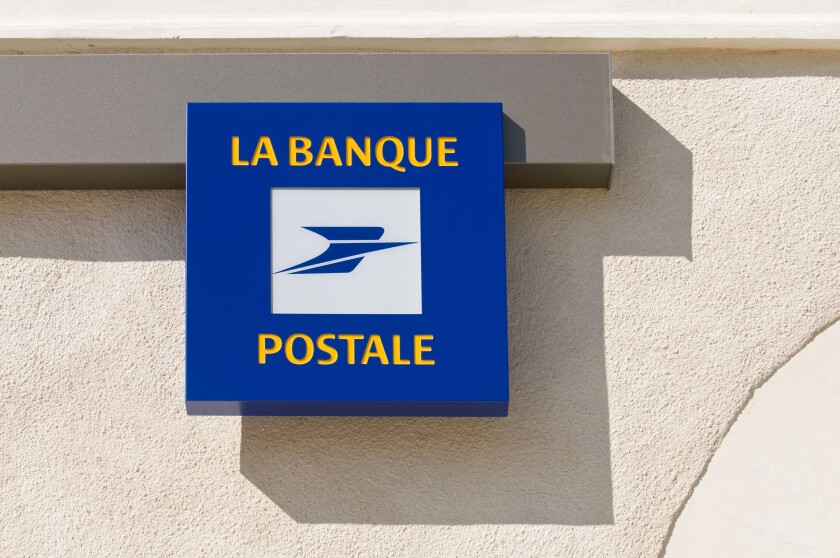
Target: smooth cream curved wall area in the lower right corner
x: 772, y: 488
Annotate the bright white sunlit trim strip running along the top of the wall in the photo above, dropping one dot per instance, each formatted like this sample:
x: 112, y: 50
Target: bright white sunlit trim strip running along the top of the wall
x: 424, y: 25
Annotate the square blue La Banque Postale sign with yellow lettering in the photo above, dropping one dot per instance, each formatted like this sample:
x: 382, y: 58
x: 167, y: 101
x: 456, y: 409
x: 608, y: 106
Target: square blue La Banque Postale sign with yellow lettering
x: 346, y: 259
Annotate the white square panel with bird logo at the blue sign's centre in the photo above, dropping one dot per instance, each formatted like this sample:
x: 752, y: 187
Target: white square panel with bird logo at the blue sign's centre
x: 345, y: 251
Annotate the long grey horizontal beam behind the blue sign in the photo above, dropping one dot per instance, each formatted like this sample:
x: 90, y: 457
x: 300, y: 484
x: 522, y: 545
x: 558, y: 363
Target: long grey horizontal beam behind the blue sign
x: 117, y: 121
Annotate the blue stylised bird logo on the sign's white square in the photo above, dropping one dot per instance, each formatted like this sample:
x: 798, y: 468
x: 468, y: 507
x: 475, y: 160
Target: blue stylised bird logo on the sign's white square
x: 348, y: 247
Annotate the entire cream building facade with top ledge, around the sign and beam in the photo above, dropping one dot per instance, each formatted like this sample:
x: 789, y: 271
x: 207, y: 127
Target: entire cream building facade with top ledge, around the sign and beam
x: 674, y: 367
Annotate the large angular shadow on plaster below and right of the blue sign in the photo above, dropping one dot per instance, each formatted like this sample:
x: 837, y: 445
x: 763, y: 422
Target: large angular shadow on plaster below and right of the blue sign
x: 549, y: 461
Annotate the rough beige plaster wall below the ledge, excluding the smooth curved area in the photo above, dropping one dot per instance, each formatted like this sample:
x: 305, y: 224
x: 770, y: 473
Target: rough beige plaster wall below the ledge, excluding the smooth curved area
x: 641, y: 321
